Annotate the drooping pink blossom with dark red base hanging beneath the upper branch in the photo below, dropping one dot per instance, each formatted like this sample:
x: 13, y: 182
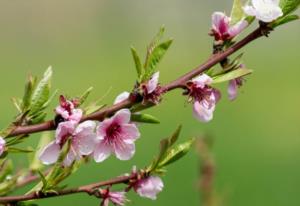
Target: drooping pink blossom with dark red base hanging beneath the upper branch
x: 204, y: 96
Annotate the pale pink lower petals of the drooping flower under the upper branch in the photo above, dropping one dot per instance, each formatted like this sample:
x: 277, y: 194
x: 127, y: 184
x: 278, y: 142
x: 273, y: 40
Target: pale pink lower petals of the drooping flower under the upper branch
x: 203, y: 111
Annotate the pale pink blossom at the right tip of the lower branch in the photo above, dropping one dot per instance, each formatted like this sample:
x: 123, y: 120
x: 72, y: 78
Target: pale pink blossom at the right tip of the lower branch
x: 149, y: 187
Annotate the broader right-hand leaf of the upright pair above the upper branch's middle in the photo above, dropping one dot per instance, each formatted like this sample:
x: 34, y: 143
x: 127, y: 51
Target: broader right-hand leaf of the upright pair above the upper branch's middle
x: 155, y: 57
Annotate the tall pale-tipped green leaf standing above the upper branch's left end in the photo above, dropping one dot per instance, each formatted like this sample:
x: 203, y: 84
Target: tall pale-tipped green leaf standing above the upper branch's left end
x: 41, y: 93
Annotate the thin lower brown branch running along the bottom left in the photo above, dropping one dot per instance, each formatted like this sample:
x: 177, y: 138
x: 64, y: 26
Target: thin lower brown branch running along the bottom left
x: 89, y: 189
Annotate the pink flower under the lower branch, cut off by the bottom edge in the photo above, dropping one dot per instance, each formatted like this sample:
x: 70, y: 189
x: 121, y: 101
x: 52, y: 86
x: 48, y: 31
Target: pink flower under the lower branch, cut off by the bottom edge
x: 117, y: 198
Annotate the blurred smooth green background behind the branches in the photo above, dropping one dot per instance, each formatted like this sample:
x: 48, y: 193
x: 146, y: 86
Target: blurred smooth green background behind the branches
x: 257, y: 137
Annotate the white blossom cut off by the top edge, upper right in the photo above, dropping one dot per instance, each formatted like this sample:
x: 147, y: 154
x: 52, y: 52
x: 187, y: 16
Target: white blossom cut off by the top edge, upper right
x: 264, y: 10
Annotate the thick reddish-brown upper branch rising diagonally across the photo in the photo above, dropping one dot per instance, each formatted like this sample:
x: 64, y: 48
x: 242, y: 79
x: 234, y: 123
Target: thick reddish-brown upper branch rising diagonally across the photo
x: 178, y: 83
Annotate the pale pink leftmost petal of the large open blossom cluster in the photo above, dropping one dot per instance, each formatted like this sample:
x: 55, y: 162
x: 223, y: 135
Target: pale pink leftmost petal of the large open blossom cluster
x: 50, y: 153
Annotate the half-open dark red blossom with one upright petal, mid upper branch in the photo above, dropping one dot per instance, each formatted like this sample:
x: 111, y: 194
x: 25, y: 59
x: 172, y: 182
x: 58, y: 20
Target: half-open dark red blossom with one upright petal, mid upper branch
x: 151, y: 89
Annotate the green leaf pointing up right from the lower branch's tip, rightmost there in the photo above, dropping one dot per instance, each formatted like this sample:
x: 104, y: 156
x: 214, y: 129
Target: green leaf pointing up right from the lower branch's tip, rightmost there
x: 176, y: 153
